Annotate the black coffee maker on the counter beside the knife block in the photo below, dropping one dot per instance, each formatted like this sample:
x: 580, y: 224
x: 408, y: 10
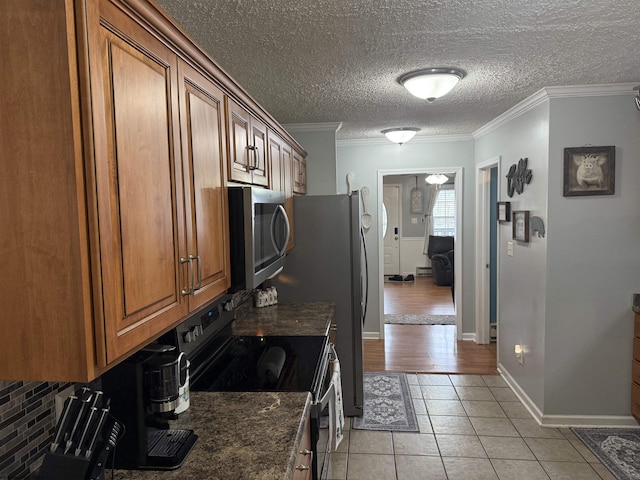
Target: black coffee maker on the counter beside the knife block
x: 144, y: 392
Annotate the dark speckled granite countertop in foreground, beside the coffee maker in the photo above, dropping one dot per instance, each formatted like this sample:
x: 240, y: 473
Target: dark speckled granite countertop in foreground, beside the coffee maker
x: 240, y: 435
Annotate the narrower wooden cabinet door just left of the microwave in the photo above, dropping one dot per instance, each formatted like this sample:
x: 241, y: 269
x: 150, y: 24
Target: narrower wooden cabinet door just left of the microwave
x: 204, y: 159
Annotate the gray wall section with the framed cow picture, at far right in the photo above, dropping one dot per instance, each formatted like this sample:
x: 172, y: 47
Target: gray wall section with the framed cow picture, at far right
x: 593, y: 263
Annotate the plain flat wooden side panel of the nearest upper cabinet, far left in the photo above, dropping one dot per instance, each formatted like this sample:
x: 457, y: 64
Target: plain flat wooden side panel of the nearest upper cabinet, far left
x: 46, y: 296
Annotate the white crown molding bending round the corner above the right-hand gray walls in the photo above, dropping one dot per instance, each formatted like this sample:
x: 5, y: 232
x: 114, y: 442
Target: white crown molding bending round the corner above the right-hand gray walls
x: 547, y: 93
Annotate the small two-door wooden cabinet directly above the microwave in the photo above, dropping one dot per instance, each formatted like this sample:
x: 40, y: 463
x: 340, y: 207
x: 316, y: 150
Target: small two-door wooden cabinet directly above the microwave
x: 247, y: 146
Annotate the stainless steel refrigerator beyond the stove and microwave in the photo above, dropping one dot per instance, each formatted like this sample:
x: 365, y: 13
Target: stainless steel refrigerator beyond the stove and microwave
x: 329, y: 263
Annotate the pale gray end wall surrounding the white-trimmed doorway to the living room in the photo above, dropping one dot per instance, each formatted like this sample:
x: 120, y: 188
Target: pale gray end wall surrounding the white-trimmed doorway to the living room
x: 365, y: 160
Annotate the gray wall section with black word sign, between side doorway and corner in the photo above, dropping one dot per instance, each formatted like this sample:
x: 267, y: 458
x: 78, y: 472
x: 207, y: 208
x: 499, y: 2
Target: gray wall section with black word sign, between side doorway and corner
x: 522, y: 277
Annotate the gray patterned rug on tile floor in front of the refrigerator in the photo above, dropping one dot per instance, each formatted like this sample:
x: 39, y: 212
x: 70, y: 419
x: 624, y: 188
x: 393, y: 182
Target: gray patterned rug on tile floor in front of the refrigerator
x: 387, y: 404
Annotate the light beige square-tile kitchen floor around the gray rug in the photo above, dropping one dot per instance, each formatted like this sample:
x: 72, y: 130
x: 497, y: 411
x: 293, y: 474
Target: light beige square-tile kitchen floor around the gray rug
x: 472, y: 427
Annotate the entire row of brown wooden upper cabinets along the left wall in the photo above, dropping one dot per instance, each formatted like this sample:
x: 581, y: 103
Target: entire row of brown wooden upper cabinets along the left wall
x: 115, y: 224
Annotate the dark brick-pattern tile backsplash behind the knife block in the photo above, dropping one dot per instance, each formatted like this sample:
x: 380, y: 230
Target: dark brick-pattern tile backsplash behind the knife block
x: 27, y: 423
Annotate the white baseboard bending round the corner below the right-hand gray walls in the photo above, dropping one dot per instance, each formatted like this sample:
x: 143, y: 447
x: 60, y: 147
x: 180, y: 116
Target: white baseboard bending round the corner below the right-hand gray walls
x: 564, y: 421
